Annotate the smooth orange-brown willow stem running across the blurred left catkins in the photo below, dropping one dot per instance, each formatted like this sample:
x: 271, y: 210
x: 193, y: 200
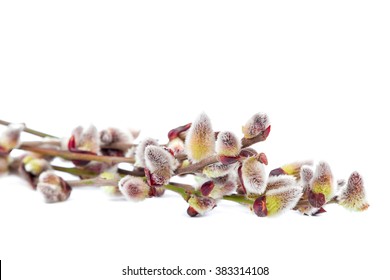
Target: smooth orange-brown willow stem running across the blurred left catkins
x: 75, y: 156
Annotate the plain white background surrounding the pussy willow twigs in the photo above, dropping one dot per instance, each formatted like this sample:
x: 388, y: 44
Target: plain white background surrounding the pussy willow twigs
x: 319, y: 69
